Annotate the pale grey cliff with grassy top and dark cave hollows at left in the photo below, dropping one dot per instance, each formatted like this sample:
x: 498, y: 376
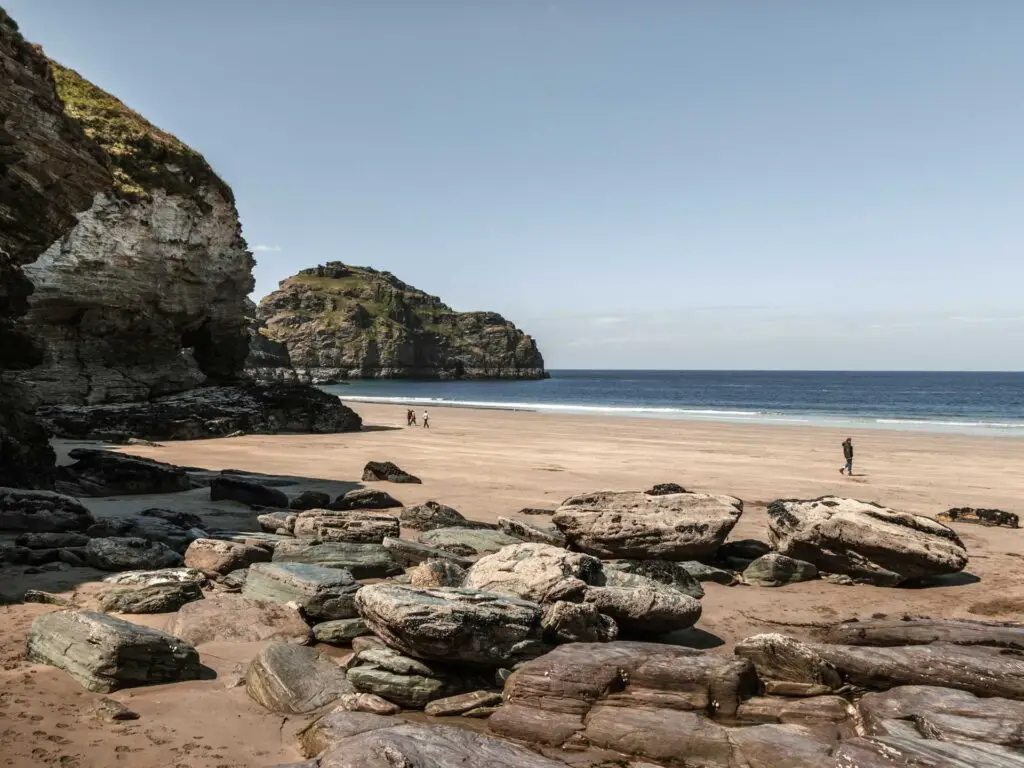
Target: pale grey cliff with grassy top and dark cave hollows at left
x: 145, y: 295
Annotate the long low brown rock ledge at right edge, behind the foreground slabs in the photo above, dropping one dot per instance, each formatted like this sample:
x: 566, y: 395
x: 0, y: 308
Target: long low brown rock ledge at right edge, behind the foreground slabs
x: 923, y: 631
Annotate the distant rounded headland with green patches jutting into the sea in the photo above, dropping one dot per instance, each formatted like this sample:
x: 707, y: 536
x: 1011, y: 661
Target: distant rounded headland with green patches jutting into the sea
x: 338, y: 322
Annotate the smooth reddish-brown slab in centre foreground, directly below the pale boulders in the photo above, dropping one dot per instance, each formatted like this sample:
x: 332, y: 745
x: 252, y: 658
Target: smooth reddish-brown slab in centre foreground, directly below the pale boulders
x: 548, y: 700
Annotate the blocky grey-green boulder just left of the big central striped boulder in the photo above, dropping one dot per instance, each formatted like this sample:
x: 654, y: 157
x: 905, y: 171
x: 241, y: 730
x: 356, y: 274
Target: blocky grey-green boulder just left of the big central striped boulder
x: 322, y: 594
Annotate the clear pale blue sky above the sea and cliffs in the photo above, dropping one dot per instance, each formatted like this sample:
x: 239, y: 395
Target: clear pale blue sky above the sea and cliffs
x: 656, y: 184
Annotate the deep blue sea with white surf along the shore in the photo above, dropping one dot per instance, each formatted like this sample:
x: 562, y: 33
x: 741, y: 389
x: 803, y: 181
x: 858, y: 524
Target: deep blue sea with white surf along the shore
x: 984, y: 404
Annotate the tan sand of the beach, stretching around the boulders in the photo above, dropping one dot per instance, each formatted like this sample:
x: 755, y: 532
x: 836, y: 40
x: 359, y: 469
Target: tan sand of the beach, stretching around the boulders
x: 490, y: 463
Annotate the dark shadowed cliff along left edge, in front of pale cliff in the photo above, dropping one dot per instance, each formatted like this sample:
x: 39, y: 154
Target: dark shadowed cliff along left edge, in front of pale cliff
x: 49, y: 172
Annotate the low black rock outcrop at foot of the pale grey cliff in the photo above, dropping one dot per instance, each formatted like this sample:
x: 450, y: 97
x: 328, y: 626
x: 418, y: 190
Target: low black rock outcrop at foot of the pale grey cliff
x: 206, y: 412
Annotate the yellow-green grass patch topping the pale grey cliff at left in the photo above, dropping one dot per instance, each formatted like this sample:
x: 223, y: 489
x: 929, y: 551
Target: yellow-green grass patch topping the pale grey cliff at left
x: 140, y: 153
